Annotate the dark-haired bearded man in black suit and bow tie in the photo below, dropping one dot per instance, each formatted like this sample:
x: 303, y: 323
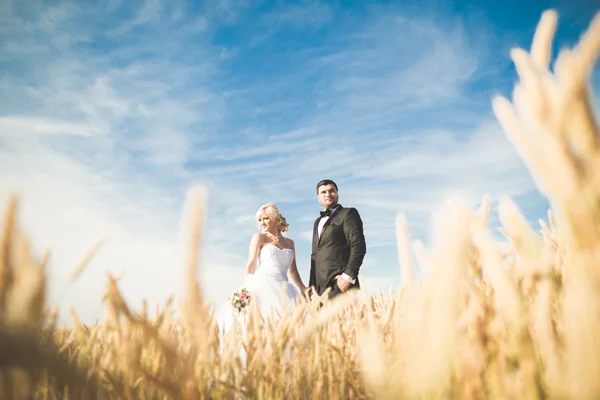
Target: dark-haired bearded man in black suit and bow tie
x: 338, y: 247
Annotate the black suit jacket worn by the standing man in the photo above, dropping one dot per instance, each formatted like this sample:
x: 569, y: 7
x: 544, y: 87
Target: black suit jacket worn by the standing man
x: 341, y: 249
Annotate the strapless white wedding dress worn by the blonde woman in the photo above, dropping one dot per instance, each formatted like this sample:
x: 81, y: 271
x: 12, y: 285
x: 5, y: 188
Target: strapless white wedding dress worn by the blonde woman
x: 267, y: 286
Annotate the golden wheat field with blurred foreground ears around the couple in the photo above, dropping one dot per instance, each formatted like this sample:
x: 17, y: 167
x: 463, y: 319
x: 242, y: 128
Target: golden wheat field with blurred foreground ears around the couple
x: 487, y: 320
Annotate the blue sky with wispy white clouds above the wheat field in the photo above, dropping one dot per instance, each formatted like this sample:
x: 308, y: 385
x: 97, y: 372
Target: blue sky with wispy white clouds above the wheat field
x: 110, y: 110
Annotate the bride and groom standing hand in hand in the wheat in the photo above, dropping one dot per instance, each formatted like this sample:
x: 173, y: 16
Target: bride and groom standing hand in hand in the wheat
x: 338, y: 250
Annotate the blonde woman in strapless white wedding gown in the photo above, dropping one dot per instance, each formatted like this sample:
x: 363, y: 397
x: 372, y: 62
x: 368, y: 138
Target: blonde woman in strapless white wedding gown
x: 265, y: 277
